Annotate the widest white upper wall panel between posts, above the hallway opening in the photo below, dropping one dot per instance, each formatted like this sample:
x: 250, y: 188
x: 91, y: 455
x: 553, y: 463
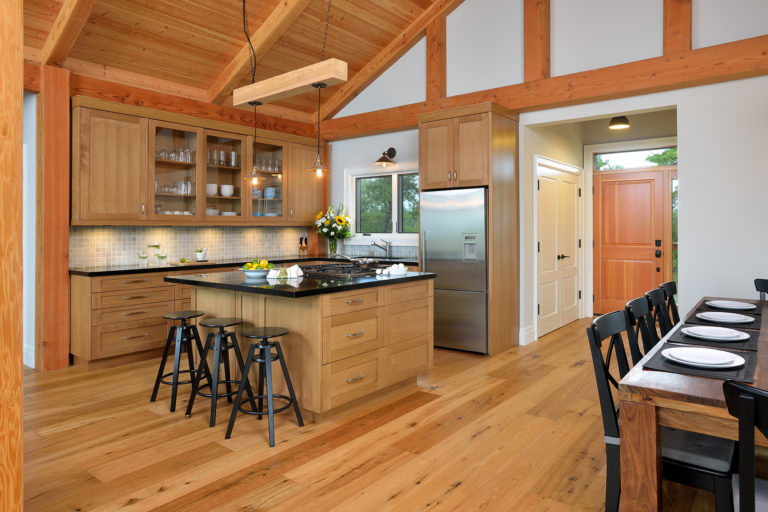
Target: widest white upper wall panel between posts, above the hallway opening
x: 591, y: 34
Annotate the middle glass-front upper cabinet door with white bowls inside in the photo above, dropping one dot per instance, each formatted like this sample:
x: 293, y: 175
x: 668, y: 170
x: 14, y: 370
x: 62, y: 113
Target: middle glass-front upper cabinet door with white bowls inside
x: 224, y: 171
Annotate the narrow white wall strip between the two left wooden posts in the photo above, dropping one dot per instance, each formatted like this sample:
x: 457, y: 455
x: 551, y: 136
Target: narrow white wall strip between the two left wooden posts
x: 29, y: 218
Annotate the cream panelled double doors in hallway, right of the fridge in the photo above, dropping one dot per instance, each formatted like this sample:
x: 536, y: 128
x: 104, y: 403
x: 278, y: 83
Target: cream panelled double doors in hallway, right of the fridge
x: 558, y: 247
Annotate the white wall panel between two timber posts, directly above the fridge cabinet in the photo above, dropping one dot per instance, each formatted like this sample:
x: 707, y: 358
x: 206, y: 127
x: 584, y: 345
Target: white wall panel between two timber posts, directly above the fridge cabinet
x: 484, y: 45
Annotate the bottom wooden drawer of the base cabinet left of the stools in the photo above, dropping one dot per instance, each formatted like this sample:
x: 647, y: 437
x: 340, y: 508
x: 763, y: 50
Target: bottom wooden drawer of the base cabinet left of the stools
x: 124, y: 338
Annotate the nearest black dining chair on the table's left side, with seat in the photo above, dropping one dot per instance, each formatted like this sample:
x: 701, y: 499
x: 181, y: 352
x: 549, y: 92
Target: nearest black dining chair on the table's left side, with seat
x: 701, y: 461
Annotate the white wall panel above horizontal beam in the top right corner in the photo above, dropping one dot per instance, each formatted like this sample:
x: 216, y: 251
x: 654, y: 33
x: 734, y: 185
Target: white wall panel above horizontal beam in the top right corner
x: 717, y: 22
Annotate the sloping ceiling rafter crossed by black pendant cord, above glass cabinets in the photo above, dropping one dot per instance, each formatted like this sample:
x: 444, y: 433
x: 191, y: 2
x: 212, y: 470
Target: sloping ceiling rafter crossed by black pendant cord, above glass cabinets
x: 263, y: 39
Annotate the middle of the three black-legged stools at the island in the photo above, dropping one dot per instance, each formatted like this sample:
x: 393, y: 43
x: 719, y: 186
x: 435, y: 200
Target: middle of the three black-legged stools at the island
x: 220, y: 341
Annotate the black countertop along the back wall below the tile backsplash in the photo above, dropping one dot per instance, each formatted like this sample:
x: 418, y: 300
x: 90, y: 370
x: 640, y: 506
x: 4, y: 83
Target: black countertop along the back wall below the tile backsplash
x: 278, y: 260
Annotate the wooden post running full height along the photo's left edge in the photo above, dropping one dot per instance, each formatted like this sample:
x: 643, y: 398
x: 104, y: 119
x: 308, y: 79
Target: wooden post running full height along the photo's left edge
x: 11, y: 147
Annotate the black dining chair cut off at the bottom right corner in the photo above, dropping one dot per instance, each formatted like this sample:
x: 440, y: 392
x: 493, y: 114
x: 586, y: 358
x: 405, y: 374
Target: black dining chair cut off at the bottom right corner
x: 750, y: 406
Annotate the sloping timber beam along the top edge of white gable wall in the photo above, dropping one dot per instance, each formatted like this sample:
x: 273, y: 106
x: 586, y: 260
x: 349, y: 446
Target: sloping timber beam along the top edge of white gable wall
x: 386, y: 57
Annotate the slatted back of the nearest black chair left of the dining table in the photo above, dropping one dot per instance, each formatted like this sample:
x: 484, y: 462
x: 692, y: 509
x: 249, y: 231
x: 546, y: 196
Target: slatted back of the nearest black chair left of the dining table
x: 608, y: 328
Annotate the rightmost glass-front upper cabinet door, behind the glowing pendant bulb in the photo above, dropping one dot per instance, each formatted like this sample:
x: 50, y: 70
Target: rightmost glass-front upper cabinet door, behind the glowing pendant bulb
x: 265, y: 181
